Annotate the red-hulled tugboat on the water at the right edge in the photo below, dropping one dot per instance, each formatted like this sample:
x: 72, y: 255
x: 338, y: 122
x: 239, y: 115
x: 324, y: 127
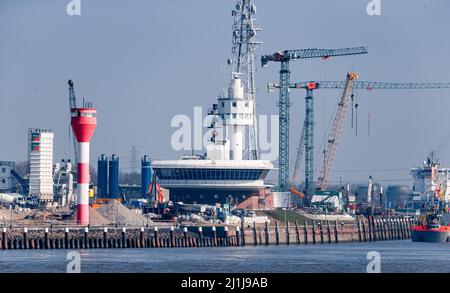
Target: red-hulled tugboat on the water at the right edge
x: 434, y: 227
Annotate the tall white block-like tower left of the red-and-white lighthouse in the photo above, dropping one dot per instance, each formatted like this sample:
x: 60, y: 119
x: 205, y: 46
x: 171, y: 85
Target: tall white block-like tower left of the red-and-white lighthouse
x: 40, y: 159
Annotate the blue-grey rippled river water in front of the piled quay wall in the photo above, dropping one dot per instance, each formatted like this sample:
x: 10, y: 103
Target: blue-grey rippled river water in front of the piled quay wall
x: 396, y: 256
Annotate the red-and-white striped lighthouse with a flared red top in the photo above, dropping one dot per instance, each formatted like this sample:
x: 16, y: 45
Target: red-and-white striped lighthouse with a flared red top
x: 83, y: 122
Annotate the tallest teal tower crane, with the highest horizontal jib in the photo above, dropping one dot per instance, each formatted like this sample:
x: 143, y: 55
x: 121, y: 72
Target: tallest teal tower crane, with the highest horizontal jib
x: 284, y: 101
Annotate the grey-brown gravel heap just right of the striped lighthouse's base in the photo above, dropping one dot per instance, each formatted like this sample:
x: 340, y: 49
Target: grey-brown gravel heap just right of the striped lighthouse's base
x: 119, y: 214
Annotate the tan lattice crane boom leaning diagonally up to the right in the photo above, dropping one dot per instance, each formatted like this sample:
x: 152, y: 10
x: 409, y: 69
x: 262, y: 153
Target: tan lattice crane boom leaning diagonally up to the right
x: 336, y: 131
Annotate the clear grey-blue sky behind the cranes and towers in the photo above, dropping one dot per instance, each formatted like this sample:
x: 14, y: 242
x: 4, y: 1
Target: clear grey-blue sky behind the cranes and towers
x: 143, y: 62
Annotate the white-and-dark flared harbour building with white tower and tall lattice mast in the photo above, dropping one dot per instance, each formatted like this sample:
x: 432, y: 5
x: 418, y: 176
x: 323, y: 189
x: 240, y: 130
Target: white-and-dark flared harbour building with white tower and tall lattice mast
x: 231, y: 170
